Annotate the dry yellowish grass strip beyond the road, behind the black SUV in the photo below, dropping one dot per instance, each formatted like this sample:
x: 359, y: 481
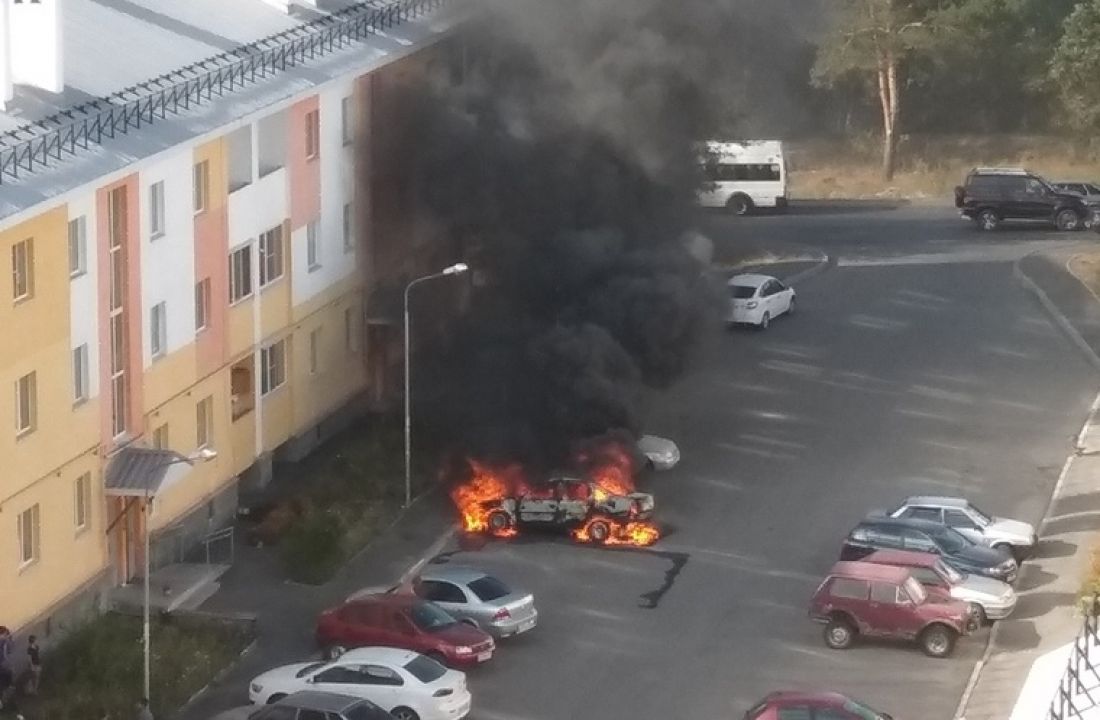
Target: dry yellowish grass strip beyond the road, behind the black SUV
x: 930, y: 167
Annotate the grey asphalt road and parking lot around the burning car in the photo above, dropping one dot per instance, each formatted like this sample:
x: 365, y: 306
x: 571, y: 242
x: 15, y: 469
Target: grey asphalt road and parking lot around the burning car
x: 912, y: 367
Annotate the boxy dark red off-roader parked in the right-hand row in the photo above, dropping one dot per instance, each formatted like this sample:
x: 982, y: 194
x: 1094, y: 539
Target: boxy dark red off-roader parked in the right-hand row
x: 884, y: 602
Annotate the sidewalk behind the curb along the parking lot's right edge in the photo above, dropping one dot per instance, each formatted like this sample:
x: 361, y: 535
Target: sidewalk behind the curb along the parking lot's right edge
x: 1009, y: 683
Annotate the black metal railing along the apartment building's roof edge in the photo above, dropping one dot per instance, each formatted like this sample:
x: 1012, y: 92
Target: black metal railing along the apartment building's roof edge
x: 34, y: 147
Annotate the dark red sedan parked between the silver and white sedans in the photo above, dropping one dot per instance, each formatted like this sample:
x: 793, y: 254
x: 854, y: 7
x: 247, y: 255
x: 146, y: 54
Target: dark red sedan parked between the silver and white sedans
x: 403, y: 622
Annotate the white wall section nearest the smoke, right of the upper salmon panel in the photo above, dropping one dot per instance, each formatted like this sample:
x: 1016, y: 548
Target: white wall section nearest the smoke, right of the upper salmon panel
x: 338, y: 184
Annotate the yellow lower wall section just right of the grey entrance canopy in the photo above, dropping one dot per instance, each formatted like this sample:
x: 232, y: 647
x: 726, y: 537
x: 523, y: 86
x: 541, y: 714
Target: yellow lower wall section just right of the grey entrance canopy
x: 203, y: 481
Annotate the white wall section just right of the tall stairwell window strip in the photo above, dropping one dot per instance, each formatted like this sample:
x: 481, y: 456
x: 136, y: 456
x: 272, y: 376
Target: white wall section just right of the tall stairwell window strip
x: 168, y: 263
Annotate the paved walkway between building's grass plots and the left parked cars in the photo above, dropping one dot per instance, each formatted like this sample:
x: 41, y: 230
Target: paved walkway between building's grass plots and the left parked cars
x: 287, y: 612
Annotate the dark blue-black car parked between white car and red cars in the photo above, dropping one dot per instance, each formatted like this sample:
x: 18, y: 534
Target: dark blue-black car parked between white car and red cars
x: 927, y: 537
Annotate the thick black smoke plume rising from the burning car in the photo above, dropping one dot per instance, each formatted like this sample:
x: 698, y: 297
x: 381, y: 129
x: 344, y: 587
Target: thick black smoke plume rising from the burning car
x: 566, y: 168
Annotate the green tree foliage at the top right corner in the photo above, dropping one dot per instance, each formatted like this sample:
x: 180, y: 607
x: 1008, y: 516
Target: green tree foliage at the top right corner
x: 1075, y: 69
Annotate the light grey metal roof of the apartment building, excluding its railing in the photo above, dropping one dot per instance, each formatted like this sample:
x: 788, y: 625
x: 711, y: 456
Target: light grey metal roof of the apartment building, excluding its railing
x: 115, y: 45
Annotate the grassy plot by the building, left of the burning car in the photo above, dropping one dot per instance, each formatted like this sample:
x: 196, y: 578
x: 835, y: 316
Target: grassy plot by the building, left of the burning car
x: 357, y: 486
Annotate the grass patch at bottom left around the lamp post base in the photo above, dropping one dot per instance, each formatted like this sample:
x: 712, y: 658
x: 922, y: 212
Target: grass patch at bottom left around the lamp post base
x: 98, y: 668
